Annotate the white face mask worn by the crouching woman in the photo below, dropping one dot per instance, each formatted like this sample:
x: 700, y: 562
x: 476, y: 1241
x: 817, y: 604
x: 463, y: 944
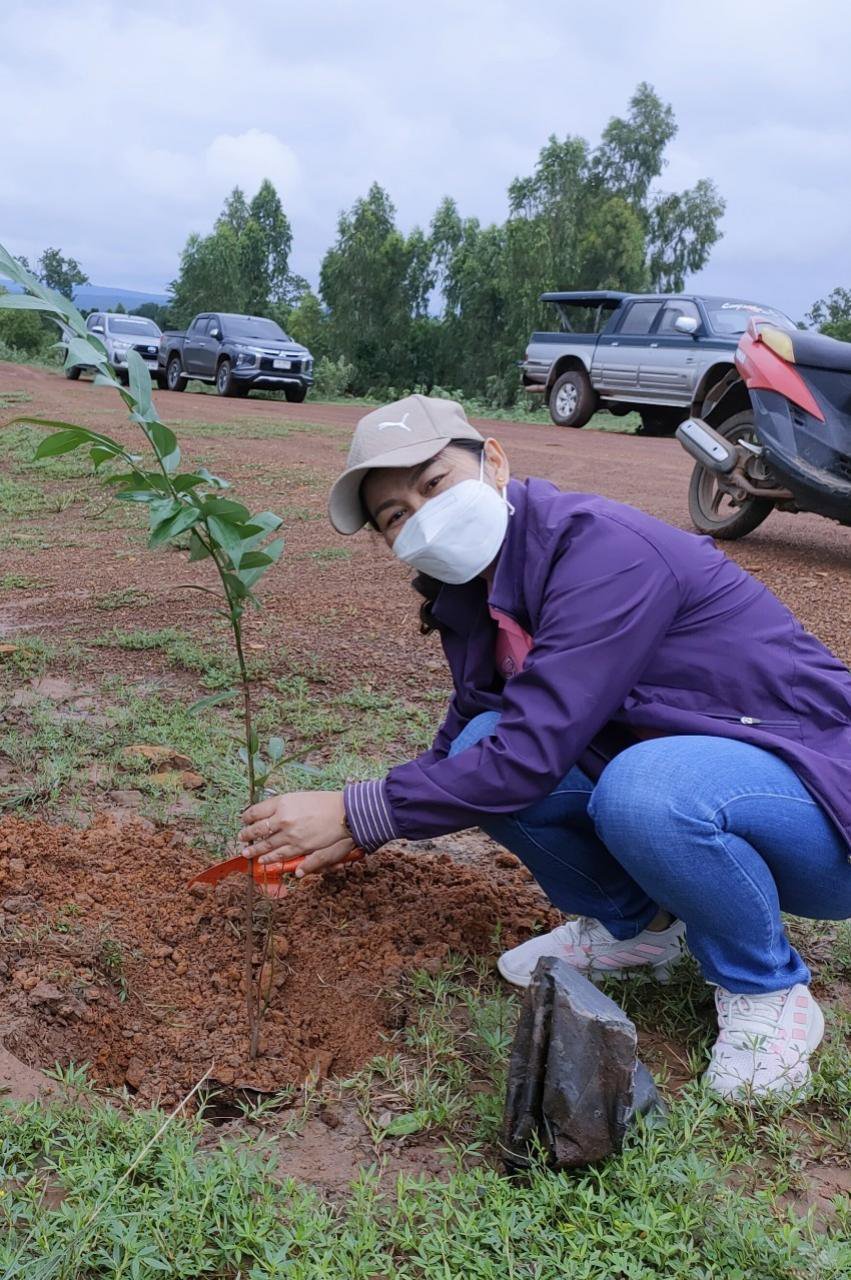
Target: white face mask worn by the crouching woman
x: 457, y: 534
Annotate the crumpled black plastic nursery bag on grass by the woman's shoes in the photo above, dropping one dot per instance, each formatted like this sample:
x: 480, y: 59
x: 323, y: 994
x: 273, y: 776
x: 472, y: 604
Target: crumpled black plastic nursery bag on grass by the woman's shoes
x: 574, y: 1081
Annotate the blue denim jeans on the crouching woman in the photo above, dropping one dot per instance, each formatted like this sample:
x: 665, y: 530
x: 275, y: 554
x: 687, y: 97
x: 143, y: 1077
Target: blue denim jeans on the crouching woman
x: 721, y: 834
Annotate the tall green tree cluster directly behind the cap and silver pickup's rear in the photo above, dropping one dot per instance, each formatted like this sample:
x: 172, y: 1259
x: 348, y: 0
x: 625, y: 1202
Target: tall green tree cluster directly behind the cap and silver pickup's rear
x: 585, y: 218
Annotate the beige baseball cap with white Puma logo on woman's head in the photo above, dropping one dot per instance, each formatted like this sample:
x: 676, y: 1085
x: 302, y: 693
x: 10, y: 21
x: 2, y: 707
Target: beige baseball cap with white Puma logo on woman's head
x: 401, y: 435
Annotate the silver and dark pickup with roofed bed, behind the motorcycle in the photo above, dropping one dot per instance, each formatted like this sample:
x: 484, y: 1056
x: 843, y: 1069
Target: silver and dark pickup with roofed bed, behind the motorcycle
x: 652, y: 354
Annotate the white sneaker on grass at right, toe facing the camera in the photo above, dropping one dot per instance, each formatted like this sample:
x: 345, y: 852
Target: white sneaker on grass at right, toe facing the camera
x: 765, y: 1044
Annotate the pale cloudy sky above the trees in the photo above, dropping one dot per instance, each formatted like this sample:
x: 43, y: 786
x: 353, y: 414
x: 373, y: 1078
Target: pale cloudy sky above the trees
x: 125, y: 125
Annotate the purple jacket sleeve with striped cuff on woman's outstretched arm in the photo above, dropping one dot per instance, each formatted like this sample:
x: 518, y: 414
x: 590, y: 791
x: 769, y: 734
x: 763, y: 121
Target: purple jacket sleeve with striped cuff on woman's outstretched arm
x: 610, y: 601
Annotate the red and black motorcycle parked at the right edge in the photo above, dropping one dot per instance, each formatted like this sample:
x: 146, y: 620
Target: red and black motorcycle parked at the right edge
x: 776, y: 433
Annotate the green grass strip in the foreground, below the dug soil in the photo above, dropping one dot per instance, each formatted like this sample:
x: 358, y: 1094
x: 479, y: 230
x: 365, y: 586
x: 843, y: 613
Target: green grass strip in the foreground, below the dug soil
x: 91, y: 1192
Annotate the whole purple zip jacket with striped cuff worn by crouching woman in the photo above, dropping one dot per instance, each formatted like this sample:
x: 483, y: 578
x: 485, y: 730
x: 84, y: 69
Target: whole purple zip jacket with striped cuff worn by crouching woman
x: 639, y: 630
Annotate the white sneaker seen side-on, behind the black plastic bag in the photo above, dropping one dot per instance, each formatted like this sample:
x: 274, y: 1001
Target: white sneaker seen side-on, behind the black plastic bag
x: 589, y: 947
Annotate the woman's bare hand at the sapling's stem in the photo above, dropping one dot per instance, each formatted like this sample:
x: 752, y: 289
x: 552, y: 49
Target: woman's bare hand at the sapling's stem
x: 296, y: 825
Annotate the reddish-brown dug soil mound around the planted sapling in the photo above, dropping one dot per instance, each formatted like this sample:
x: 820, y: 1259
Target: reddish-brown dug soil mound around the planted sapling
x: 108, y: 959
